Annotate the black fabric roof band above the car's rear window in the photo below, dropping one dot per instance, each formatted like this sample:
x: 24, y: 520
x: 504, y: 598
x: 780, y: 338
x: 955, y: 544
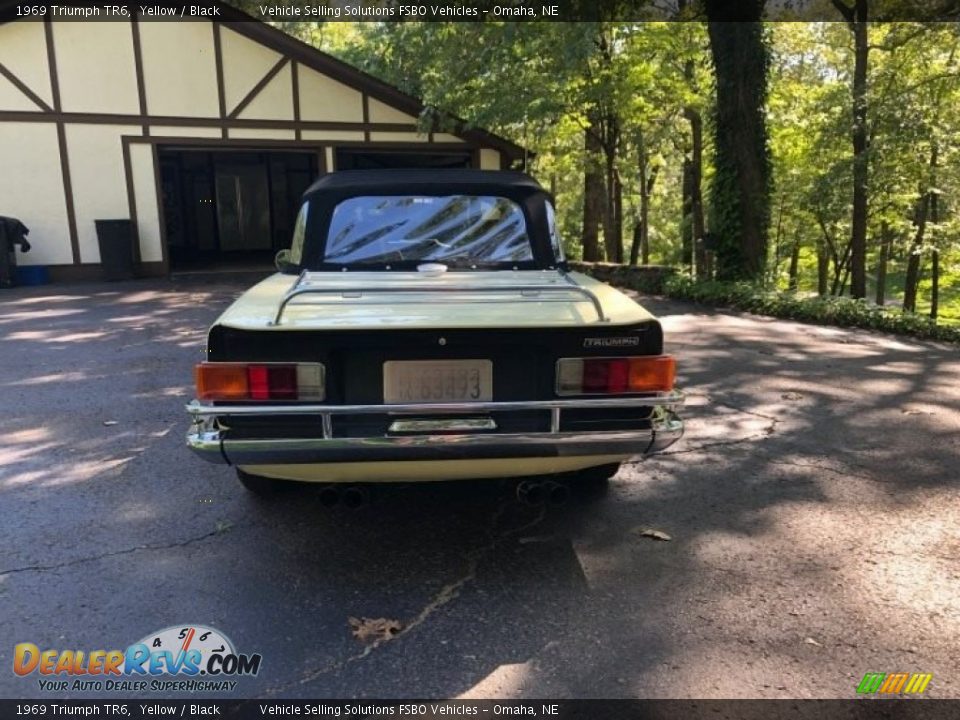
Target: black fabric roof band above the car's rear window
x: 425, y: 181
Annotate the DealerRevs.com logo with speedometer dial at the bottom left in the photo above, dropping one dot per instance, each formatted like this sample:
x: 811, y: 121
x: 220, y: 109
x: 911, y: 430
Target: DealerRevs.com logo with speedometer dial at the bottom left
x: 180, y: 658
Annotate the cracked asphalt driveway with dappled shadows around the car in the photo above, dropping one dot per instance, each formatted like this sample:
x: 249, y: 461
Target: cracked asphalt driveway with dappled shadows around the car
x: 813, y: 506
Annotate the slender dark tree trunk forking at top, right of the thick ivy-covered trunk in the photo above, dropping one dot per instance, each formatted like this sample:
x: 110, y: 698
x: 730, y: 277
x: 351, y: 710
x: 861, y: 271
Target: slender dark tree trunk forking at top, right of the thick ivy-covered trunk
x: 856, y: 17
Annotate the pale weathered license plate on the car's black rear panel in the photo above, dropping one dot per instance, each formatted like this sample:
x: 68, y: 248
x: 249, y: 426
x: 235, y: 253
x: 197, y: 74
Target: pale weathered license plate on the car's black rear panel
x: 437, y: 381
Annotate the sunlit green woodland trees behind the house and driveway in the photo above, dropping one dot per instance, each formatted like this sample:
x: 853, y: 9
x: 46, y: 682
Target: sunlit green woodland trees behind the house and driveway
x: 626, y: 122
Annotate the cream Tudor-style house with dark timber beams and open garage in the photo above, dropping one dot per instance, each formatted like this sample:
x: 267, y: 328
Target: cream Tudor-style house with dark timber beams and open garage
x: 203, y: 133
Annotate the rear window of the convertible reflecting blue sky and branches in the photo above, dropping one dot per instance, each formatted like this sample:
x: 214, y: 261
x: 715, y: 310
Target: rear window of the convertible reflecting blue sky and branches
x: 457, y: 230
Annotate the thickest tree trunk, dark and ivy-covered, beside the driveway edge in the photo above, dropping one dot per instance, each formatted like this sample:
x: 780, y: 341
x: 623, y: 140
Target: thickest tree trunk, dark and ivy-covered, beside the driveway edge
x: 740, y: 191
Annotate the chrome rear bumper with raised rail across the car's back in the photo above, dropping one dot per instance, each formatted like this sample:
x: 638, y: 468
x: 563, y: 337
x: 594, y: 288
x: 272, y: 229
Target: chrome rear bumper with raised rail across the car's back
x: 210, y: 437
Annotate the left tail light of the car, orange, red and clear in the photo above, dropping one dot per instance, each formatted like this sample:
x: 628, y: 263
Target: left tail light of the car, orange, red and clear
x: 260, y: 381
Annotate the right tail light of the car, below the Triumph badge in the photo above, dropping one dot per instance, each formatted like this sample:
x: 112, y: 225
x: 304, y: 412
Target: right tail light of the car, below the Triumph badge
x: 615, y: 375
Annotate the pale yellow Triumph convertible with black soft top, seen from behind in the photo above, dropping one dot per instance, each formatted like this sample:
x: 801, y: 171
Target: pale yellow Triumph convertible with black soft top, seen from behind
x: 423, y: 326
